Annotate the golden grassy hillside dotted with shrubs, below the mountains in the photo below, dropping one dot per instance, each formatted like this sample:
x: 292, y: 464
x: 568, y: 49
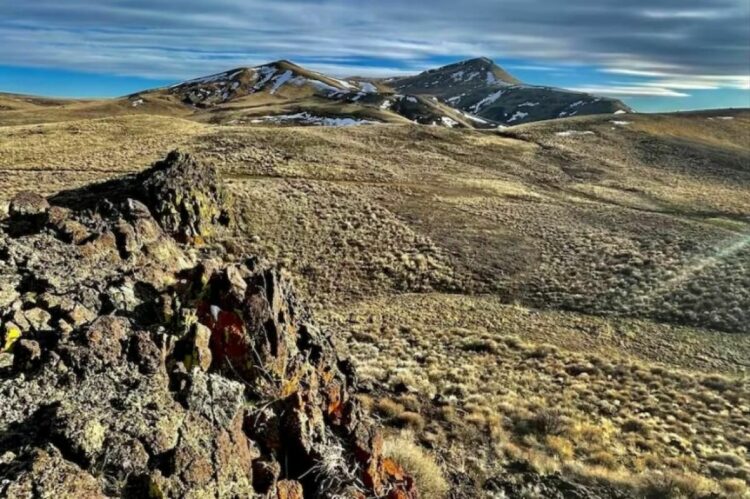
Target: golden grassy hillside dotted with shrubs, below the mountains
x: 558, y: 302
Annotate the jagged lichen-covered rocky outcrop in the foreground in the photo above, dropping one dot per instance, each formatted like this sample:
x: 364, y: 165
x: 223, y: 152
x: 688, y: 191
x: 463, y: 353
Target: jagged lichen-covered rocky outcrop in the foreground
x: 136, y: 364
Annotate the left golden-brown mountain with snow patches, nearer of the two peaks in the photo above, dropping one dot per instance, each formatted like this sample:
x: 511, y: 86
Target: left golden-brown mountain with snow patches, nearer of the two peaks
x: 282, y: 93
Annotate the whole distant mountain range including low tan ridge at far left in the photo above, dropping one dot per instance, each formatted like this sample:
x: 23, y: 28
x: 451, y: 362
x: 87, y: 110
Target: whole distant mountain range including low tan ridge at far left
x: 475, y: 93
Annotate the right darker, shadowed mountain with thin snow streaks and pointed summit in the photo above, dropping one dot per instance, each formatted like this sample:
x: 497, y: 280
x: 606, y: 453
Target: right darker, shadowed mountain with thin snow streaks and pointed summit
x: 483, y: 89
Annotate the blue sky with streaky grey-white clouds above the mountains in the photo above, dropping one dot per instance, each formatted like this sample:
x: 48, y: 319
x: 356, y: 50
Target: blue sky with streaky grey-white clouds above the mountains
x: 656, y: 55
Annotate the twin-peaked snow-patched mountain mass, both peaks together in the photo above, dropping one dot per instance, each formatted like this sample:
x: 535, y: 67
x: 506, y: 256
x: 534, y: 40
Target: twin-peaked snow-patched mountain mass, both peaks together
x: 475, y: 93
